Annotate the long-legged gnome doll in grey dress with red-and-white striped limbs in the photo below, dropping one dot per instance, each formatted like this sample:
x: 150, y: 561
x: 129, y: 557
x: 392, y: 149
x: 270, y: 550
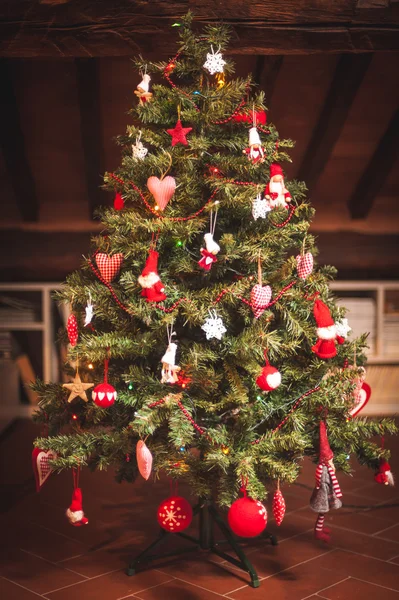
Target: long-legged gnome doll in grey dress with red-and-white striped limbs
x: 327, y: 493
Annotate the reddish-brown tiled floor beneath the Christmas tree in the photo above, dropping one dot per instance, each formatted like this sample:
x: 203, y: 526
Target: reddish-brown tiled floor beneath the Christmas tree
x: 42, y: 556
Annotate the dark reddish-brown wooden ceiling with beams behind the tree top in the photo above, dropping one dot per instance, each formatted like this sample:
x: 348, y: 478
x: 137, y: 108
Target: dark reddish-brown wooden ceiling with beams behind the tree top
x: 331, y: 83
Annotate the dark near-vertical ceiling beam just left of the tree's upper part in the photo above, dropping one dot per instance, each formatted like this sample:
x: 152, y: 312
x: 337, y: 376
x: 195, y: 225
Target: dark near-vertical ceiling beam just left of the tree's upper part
x: 87, y: 75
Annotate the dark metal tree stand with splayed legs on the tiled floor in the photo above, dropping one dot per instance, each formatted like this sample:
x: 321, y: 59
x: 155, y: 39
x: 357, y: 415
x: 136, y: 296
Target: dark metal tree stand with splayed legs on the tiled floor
x: 208, y: 516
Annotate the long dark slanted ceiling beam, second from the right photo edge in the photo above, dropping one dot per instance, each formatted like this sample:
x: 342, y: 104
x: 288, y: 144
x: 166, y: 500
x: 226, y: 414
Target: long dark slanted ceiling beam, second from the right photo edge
x: 348, y: 76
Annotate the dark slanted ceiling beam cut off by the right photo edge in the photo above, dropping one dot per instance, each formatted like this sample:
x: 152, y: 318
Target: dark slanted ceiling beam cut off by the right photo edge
x: 376, y: 172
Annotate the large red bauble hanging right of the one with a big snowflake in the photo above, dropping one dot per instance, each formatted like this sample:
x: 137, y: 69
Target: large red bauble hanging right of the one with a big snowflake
x: 247, y: 517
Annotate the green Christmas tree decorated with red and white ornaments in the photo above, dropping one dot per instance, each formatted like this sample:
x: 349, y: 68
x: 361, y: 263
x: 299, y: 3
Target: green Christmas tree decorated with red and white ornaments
x: 213, y: 345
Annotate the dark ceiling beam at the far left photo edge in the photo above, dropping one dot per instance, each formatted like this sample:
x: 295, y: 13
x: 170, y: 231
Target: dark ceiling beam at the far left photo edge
x: 13, y: 145
